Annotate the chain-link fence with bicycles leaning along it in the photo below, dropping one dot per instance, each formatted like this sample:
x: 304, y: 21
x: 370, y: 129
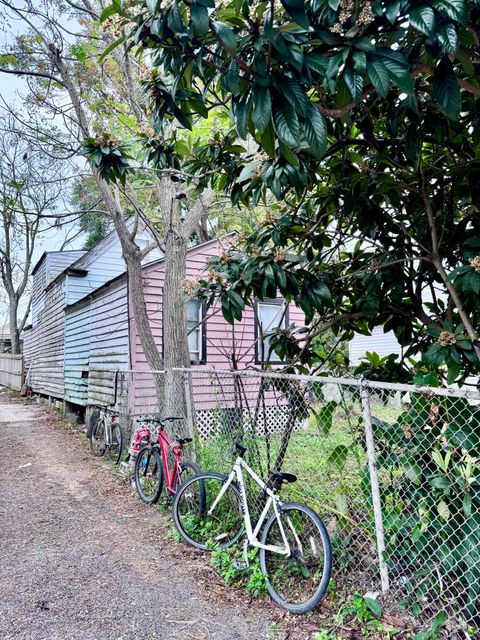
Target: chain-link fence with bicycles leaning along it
x: 393, y: 470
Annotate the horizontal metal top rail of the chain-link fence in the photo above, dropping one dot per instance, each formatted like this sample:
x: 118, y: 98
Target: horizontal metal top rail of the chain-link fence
x: 358, y: 382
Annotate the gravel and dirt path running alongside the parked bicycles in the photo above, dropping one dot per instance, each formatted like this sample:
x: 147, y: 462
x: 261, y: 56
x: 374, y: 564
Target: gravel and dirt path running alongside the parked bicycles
x: 81, y: 558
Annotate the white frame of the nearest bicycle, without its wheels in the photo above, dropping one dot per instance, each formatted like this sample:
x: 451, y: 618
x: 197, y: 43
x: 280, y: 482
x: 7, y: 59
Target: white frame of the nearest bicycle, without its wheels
x: 272, y: 501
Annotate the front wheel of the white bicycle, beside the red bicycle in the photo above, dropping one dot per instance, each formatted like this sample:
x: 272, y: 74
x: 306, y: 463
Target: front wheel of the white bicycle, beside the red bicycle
x: 195, y: 526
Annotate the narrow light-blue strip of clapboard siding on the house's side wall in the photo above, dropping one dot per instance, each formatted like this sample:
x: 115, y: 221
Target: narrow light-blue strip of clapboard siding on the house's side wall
x: 77, y: 353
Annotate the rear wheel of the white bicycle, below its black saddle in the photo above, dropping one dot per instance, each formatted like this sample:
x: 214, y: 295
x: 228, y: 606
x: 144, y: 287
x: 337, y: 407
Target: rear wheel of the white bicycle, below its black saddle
x: 296, y: 571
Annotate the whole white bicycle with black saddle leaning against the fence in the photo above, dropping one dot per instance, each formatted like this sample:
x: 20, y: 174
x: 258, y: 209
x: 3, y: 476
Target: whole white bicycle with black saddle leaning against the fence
x: 211, y: 511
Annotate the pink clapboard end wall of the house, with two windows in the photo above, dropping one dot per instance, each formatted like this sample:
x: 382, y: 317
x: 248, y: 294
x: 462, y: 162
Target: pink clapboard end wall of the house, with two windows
x: 214, y: 345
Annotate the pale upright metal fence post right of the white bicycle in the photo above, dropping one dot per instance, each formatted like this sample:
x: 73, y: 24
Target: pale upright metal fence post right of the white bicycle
x: 377, y: 504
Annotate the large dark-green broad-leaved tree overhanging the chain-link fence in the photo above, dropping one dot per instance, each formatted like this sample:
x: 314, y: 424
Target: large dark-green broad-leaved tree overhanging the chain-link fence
x: 362, y: 125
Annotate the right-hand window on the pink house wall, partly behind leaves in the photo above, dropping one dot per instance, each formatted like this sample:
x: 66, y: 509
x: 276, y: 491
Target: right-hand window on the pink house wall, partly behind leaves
x: 269, y: 315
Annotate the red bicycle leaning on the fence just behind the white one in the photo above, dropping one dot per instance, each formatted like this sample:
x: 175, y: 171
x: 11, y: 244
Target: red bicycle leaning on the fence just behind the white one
x: 159, y: 461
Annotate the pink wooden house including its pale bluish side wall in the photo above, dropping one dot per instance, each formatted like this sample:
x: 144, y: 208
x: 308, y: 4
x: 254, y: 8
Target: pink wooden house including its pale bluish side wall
x: 101, y: 339
